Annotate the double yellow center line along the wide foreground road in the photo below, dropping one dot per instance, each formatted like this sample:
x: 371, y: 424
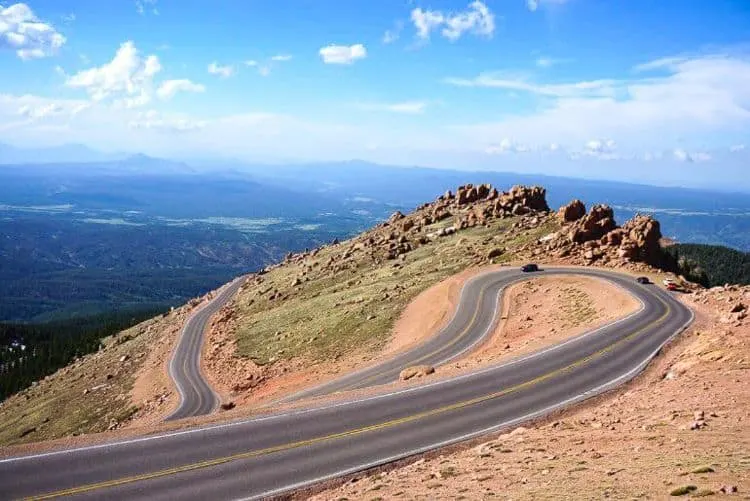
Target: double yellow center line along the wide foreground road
x: 357, y: 431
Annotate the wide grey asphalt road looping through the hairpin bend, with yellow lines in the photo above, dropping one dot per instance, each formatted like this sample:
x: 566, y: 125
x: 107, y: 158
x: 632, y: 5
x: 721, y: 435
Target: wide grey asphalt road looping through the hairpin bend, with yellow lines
x: 270, y: 455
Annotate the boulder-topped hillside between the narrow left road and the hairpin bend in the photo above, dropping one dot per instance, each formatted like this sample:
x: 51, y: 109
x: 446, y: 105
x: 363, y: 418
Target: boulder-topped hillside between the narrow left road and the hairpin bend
x: 331, y: 309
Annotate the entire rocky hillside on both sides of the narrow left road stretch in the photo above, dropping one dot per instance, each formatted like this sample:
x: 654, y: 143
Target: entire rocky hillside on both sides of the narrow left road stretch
x: 322, y: 312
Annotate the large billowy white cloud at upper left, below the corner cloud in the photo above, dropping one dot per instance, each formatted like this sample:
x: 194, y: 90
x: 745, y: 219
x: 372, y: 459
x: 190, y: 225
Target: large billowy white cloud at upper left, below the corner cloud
x: 128, y: 76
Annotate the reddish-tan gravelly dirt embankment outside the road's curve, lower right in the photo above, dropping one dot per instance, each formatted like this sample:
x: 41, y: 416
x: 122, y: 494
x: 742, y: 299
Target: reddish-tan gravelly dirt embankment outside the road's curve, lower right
x: 679, y: 428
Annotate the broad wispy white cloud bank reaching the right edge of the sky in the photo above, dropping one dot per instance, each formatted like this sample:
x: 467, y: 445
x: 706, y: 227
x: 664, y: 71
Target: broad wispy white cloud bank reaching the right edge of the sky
x: 699, y: 97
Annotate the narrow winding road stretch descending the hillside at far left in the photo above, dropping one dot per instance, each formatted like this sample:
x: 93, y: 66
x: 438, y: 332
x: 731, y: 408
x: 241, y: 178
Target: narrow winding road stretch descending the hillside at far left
x: 196, y: 396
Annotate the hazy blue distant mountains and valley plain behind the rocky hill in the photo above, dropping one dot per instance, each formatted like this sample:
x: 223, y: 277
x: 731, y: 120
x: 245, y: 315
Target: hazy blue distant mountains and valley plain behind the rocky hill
x: 81, y: 236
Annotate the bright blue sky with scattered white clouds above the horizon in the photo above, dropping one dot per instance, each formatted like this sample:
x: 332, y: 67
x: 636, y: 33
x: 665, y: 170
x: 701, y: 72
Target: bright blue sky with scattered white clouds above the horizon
x: 637, y: 90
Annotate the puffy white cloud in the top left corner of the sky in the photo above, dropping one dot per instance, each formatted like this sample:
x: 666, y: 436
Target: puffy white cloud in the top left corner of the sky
x: 23, y: 32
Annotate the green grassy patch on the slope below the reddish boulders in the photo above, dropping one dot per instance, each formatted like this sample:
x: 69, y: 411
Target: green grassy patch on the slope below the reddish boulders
x: 329, y: 315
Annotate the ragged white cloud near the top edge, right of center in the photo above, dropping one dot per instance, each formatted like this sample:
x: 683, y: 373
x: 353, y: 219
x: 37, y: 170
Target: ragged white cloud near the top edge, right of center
x: 476, y: 19
